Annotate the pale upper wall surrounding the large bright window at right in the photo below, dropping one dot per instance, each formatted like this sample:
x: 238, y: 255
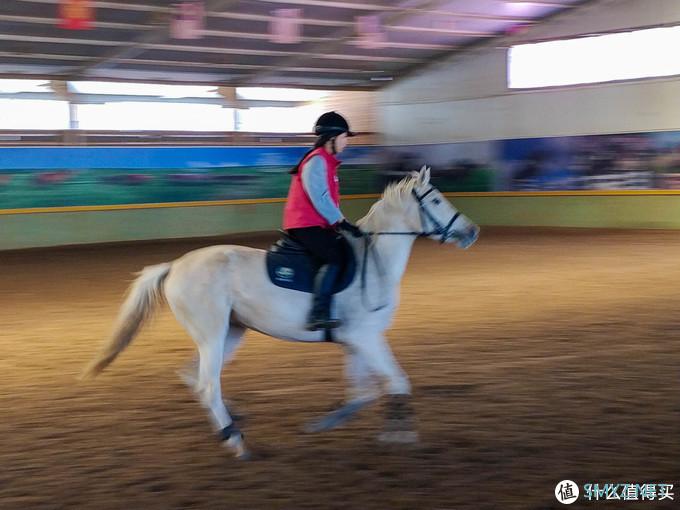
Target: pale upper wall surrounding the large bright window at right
x: 467, y: 98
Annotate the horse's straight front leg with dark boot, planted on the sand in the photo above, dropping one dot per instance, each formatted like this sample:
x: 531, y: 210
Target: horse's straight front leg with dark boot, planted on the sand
x: 378, y: 357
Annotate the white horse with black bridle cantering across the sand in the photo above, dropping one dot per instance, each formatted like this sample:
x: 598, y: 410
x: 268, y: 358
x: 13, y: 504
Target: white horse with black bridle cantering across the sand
x: 219, y: 292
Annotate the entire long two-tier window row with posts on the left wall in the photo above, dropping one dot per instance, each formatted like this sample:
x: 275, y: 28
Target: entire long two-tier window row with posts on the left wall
x: 125, y: 106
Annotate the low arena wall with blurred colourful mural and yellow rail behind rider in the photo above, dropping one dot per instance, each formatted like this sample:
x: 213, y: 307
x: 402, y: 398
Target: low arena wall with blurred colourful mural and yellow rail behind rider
x: 63, y: 196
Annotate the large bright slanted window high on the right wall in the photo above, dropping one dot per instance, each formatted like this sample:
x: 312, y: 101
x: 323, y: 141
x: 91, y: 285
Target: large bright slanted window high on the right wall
x: 624, y: 56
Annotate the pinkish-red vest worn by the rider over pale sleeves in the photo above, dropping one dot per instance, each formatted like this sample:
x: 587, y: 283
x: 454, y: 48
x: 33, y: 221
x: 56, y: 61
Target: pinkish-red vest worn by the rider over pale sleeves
x: 299, y: 211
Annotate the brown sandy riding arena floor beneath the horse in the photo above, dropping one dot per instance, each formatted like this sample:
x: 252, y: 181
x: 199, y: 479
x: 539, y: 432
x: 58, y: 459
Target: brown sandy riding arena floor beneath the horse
x: 535, y: 357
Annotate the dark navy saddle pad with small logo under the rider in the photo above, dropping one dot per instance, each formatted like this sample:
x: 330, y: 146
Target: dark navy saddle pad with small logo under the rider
x: 290, y: 266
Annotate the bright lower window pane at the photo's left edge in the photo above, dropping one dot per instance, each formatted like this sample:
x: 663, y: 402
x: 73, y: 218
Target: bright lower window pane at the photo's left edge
x: 33, y: 114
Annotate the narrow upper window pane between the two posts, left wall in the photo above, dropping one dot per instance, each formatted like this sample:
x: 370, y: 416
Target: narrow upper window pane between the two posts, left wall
x: 142, y: 89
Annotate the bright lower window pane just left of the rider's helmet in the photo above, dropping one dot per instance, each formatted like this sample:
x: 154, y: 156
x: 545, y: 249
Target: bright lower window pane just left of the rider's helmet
x: 279, y: 120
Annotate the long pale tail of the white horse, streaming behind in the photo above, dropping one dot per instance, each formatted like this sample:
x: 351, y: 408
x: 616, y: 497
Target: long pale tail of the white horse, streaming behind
x: 143, y: 297
